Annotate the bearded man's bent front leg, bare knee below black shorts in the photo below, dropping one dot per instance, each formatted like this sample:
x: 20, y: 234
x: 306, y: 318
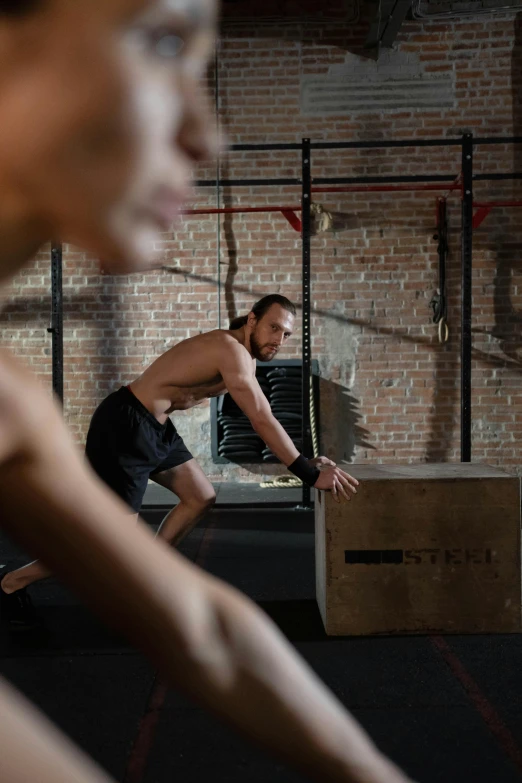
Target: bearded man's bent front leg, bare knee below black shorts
x: 196, y: 496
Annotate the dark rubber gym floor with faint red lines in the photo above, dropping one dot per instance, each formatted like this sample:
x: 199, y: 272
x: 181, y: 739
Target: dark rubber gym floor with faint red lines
x: 448, y: 709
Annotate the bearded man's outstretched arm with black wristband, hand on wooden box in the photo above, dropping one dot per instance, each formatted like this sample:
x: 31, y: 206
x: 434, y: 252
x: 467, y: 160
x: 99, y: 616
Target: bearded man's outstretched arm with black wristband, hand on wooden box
x: 236, y: 370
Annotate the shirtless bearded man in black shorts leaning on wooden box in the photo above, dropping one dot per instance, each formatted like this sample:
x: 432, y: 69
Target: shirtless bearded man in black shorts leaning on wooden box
x: 131, y: 437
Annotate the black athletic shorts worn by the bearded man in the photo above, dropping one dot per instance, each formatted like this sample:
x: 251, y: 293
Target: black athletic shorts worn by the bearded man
x: 126, y: 444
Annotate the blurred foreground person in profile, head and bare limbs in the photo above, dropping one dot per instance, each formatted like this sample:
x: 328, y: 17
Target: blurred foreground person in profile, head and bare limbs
x: 80, y: 156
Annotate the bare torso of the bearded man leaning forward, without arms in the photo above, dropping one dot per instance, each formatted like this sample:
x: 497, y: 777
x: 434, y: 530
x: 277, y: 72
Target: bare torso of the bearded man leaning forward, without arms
x: 187, y: 373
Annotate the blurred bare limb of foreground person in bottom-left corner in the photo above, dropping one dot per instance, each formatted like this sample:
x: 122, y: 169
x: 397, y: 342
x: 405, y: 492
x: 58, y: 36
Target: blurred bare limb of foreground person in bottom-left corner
x: 32, y: 750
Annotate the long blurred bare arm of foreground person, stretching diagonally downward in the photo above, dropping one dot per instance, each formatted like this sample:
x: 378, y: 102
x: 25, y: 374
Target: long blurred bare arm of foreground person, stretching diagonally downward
x: 208, y: 639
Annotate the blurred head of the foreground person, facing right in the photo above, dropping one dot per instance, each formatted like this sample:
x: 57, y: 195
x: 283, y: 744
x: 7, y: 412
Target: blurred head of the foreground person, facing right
x: 102, y: 118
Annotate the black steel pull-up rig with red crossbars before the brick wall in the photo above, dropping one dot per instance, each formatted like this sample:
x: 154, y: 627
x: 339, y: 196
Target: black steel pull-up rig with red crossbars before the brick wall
x: 461, y: 181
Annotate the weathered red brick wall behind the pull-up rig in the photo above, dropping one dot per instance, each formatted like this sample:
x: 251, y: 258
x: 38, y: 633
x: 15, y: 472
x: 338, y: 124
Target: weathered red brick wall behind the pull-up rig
x: 389, y: 389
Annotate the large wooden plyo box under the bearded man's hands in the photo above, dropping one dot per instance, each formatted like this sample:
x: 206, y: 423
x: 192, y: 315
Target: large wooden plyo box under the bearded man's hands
x: 430, y: 548
